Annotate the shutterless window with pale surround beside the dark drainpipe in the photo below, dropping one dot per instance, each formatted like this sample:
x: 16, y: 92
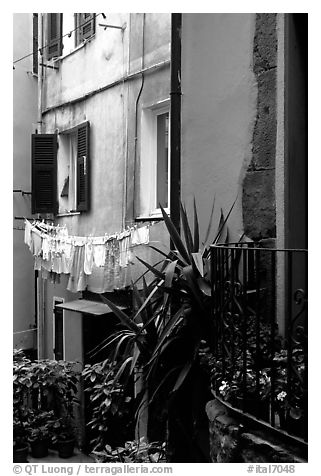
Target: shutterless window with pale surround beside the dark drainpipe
x: 155, y: 159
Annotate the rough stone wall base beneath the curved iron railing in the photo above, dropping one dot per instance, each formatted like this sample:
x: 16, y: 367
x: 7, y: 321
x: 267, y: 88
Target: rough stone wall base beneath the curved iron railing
x: 233, y: 441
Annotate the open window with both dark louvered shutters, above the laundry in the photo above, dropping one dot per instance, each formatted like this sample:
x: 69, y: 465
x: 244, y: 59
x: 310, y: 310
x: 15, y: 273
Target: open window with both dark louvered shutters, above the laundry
x: 69, y: 179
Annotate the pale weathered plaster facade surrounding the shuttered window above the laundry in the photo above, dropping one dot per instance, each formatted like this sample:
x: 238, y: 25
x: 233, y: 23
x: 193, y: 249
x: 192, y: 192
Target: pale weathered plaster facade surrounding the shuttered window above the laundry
x: 112, y: 116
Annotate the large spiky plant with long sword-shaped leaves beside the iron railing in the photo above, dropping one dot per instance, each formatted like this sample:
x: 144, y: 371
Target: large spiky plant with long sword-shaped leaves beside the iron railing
x: 171, y: 315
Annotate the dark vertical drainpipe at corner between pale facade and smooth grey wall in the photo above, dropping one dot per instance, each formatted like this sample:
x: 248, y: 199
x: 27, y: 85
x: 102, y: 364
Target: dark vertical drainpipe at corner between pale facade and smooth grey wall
x: 175, y: 131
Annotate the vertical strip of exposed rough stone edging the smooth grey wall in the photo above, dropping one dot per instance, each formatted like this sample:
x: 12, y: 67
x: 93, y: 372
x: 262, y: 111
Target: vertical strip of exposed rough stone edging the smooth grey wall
x: 259, y: 183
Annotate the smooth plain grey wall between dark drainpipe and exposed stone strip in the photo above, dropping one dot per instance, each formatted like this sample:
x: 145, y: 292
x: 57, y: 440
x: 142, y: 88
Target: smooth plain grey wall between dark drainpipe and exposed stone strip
x: 219, y: 96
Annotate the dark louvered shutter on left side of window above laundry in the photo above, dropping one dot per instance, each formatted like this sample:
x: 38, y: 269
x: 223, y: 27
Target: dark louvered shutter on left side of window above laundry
x: 44, y: 173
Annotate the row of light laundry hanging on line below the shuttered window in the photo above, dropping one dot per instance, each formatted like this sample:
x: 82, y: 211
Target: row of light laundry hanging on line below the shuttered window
x: 87, y: 260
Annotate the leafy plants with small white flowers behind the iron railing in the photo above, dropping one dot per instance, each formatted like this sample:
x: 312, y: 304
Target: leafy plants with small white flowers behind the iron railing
x: 258, y: 364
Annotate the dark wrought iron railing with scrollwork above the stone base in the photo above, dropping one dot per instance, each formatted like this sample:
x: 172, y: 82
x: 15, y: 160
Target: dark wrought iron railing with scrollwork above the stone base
x: 259, y: 303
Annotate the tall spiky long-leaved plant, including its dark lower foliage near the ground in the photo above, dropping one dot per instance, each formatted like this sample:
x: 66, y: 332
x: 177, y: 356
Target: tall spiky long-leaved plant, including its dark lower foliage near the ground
x: 160, y: 339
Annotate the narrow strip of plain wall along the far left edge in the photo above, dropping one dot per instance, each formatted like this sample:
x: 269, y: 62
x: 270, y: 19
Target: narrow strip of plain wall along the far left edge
x: 24, y: 121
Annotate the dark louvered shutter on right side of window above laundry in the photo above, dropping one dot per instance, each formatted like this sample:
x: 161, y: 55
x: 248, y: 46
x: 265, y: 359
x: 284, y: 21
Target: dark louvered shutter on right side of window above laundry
x: 83, y: 167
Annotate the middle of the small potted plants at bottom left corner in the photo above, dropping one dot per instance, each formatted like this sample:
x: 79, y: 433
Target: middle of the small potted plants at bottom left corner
x: 41, y: 431
